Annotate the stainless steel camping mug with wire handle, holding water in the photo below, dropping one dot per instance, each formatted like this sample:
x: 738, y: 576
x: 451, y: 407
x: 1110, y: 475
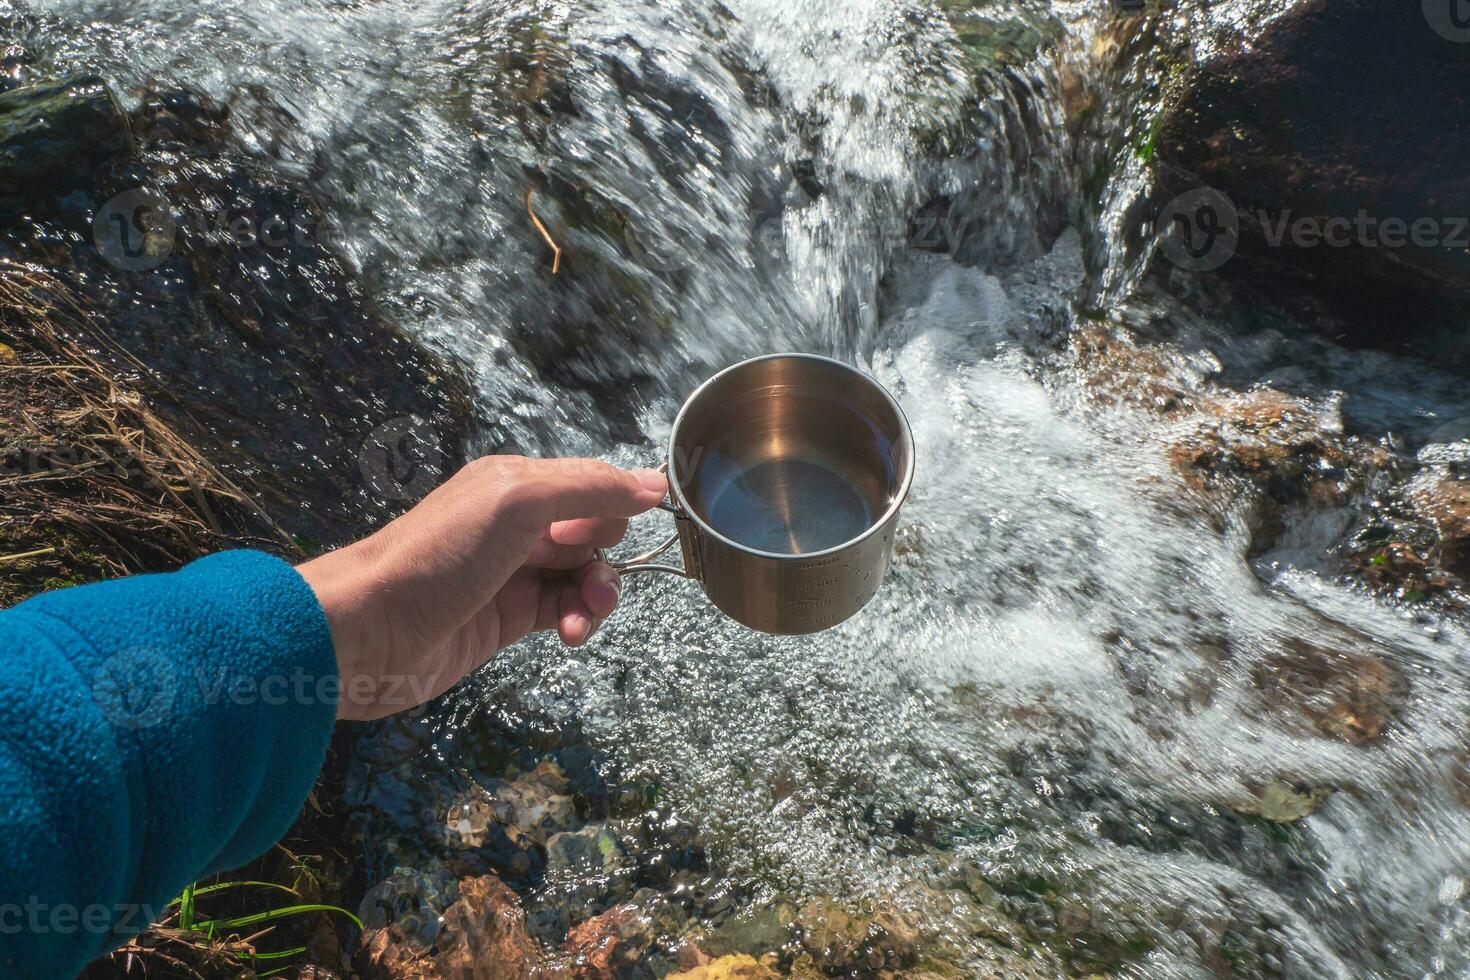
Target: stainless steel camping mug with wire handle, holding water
x: 786, y: 480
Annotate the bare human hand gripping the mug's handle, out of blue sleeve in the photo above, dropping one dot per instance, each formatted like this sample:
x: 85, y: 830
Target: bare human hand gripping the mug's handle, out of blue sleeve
x: 503, y: 549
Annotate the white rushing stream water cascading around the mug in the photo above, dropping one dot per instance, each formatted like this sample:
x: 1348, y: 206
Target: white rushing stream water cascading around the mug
x: 1061, y: 681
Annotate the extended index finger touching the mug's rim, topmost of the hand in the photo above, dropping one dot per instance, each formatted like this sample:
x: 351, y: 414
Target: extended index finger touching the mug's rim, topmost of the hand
x: 567, y: 490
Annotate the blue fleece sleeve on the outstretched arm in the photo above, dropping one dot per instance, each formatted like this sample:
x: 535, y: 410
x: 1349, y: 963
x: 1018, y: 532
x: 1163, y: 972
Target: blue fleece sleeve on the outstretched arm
x: 154, y: 731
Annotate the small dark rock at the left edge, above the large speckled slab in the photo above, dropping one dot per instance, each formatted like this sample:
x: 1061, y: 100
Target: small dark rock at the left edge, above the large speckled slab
x: 52, y: 137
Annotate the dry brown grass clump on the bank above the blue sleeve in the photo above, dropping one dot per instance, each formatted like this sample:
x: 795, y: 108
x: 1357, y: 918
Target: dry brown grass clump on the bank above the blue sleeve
x: 93, y: 484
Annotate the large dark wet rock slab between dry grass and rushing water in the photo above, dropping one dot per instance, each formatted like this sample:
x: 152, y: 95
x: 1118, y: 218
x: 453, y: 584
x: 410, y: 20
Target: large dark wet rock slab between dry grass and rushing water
x: 223, y: 281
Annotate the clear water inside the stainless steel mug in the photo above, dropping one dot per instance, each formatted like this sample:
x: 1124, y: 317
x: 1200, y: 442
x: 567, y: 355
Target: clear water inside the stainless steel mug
x: 792, y: 471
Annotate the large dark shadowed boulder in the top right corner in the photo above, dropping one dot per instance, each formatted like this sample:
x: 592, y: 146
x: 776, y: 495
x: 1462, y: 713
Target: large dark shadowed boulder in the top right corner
x: 1335, y: 111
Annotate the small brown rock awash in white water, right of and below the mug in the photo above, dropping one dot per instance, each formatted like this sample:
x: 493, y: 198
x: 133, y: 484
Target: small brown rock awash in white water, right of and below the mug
x: 1346, y: 694
